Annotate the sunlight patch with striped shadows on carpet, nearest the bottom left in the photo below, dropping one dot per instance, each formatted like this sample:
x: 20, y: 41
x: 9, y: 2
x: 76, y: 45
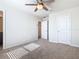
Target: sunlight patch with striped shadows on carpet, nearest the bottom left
x: 17, y: 53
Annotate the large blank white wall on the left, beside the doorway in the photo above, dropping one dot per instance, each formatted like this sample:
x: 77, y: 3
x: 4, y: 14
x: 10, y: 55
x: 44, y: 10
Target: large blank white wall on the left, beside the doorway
x: 19, y: 26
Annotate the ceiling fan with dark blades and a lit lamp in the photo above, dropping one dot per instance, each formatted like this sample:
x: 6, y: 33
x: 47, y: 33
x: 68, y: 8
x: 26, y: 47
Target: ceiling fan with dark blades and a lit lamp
x: 39, y: 5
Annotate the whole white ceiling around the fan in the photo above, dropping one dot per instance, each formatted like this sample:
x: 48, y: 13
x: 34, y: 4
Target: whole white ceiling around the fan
x: 53, y: 5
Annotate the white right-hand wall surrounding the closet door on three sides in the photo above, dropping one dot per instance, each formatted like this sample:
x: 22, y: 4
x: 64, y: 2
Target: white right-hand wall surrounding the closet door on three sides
x: 73, y: 13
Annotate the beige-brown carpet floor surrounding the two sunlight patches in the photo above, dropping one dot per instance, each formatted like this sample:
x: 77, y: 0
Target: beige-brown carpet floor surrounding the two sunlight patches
x: 49, y: 50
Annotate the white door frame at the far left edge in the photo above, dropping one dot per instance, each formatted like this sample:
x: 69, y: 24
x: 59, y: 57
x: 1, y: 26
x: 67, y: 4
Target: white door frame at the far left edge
x: 4, y: 29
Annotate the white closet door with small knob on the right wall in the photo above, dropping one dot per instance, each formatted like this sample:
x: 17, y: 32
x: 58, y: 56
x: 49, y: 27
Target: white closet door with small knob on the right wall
x: 63, y: 26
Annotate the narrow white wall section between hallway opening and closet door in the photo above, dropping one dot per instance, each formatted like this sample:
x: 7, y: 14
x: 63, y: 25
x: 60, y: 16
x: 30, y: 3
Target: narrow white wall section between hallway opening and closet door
x: 52, y: 28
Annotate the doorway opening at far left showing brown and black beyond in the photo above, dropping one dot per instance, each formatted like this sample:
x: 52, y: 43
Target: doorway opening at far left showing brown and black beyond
x: 1, y: 30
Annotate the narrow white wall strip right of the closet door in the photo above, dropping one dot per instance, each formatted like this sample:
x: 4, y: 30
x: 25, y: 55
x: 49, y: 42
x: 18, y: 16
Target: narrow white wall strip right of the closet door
x: 75, y: 26
